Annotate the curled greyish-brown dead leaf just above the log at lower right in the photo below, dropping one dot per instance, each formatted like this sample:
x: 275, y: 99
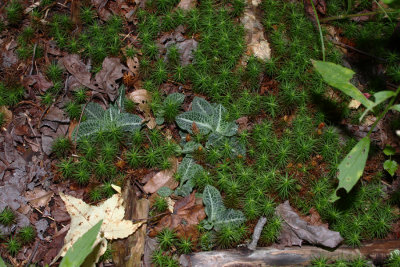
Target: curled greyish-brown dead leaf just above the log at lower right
x: 296, y: 230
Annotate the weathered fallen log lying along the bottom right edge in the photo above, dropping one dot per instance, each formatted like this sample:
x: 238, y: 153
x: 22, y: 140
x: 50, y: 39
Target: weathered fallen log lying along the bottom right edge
x: 293, y: 256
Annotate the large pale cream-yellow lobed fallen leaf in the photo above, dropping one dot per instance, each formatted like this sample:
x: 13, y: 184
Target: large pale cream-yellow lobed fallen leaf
x: 85, y: 216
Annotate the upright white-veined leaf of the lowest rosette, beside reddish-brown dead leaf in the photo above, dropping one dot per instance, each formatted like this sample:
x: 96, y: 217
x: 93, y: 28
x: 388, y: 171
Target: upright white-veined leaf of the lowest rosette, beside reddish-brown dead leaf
x: 212, y: 200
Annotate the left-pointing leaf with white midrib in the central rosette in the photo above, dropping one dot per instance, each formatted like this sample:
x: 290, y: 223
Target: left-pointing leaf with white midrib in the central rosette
x: 186, y: 120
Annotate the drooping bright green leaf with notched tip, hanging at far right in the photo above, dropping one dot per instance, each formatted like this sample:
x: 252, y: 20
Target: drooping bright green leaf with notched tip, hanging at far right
x: 352, y: 166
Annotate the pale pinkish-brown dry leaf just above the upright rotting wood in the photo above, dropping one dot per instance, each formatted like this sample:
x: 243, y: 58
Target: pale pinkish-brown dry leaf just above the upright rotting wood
x: 163, y: 178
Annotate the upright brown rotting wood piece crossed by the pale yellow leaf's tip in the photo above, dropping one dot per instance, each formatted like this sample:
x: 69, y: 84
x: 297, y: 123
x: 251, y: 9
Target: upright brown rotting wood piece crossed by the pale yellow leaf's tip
x: 129, y: 251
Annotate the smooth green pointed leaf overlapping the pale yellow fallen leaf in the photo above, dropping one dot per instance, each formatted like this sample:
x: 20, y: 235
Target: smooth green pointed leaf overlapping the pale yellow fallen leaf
x: 77, y: 254
